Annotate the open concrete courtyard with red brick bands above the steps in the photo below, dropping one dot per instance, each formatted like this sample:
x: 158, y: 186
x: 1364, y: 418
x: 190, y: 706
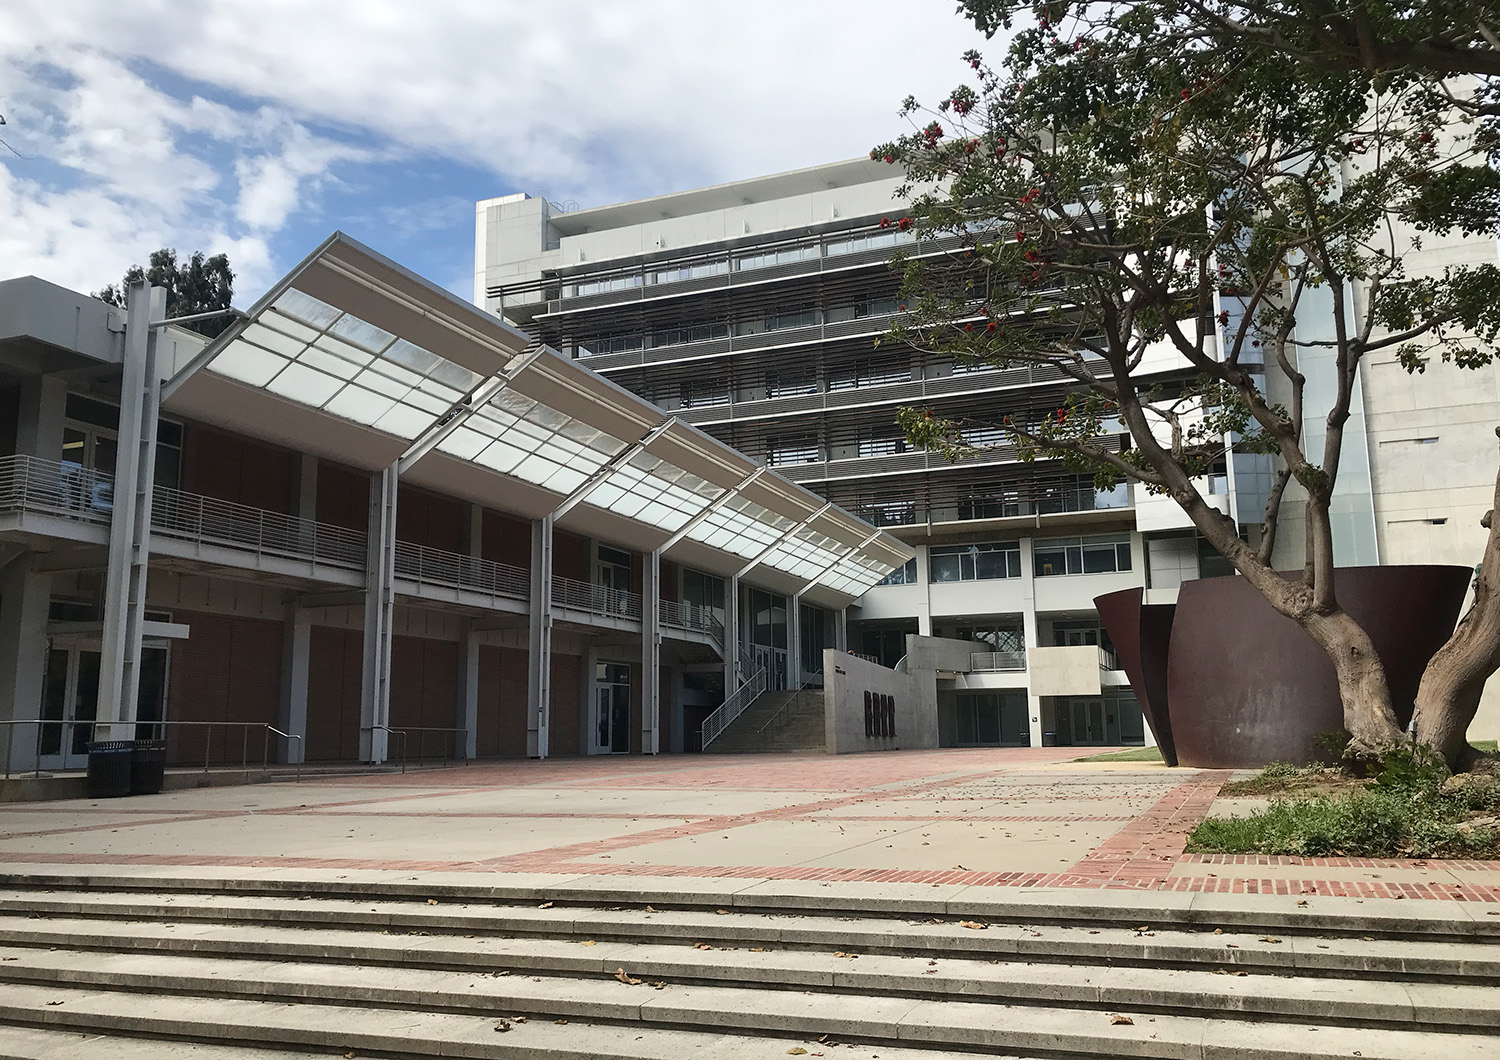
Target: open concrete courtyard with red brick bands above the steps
x: 944, y: 819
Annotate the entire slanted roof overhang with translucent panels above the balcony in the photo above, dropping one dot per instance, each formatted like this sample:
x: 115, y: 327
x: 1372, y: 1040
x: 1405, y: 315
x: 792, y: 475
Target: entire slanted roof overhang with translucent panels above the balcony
x: 358, y: 361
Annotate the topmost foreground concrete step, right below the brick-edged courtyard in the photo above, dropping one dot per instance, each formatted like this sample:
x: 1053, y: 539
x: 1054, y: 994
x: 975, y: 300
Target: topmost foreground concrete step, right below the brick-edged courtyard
x: 436, y: 902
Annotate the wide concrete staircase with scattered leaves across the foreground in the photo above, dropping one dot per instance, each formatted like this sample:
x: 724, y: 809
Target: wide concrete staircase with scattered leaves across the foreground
x: 124, y: 969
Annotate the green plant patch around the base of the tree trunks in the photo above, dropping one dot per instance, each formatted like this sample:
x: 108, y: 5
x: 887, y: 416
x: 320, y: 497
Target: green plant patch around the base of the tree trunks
x: 1412, y: 809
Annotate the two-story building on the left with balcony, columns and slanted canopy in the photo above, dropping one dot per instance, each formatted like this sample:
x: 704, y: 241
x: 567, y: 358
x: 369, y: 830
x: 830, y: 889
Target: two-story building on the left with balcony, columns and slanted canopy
x: 368, y: 523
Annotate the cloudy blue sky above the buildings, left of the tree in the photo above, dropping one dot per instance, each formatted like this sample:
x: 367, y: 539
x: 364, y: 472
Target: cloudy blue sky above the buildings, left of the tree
x: 259, y: 128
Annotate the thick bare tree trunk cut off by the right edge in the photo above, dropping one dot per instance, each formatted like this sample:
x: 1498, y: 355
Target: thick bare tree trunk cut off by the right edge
x: 1454, y: 680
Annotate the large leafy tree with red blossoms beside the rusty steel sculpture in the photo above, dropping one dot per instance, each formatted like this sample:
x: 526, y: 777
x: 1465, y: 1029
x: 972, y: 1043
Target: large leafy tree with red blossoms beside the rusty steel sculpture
x: 1120, y: 188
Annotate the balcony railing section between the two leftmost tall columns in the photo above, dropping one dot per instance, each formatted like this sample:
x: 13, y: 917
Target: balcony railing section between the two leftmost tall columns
x: 196, y: 518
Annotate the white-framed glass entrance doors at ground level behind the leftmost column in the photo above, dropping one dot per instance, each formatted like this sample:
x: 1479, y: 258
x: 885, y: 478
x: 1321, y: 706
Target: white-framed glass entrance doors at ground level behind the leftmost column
x: 71, y: 699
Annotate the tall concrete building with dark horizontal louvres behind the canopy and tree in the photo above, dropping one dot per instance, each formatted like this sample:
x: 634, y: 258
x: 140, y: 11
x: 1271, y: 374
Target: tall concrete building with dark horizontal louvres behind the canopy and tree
x: 754, y: 311
